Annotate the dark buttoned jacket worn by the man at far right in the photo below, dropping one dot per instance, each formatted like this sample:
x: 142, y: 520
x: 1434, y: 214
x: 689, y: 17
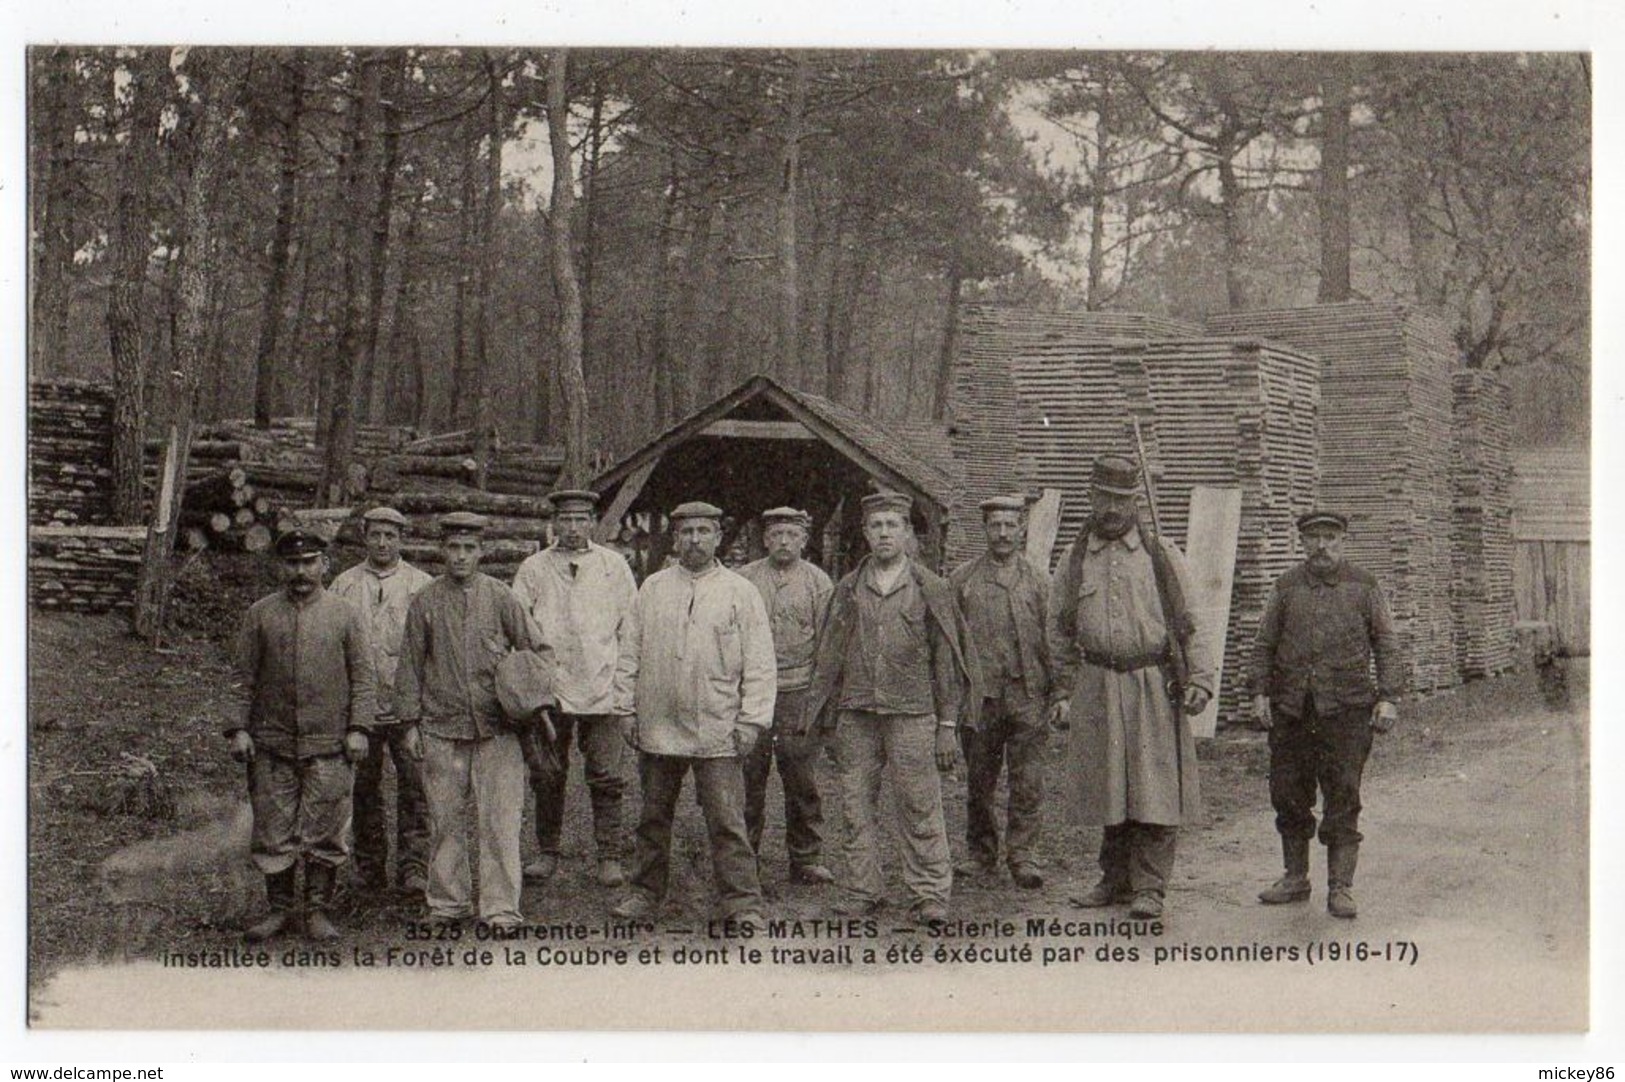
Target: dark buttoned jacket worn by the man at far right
x: 1319, y: 638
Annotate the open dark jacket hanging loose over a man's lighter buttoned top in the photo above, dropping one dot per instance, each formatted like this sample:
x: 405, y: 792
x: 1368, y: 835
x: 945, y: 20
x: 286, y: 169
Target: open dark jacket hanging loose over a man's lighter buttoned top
x: 958, y: 690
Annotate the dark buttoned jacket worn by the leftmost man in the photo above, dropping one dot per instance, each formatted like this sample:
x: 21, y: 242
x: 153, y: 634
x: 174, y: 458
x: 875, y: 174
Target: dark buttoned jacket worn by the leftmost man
x: 310, y: 673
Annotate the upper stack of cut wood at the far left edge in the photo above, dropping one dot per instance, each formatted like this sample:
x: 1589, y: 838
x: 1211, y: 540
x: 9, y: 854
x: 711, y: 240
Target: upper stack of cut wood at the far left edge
x: 69, y: 452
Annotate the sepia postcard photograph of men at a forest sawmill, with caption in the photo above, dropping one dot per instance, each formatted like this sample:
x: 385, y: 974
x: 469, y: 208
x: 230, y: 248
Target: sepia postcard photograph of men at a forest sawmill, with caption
x: 1064, y: 539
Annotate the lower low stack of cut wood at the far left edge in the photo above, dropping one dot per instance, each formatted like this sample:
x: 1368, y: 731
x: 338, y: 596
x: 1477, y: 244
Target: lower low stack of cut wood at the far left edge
x: 84, y: 569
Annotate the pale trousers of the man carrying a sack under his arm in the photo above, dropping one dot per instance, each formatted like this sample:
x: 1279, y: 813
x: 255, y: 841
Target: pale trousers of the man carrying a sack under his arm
x: 493, y: 774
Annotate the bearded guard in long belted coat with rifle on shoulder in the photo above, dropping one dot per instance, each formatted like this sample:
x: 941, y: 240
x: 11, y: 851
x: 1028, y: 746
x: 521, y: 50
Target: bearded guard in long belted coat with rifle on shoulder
x: 1119, y: 605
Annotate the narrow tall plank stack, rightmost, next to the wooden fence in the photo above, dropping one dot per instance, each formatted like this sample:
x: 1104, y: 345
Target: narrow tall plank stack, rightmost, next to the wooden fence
x: 1483, y: 602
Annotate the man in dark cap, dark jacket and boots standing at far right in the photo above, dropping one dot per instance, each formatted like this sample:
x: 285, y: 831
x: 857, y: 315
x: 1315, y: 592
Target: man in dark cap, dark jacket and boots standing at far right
x: 1314, y: 693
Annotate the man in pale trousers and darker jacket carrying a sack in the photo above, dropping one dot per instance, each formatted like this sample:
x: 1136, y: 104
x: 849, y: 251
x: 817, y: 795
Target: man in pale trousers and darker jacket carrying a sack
x: 459, y: 628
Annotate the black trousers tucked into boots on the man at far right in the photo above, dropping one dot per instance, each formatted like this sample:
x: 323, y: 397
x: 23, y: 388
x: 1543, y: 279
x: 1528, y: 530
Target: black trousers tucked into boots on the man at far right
x: 1327, y: 751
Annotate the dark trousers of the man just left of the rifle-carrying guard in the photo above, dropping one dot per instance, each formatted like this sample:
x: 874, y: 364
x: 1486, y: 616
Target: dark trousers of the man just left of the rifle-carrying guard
x: 1015, y: 732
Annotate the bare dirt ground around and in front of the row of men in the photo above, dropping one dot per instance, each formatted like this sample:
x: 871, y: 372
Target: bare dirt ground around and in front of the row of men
x: 1476, y: 857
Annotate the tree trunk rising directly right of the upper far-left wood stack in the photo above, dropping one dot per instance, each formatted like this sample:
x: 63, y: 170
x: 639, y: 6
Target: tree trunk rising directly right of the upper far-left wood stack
x: 131, y: 251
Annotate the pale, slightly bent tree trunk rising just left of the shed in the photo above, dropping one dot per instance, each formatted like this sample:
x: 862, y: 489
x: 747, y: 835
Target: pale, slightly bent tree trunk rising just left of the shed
x: 566, y: 287
